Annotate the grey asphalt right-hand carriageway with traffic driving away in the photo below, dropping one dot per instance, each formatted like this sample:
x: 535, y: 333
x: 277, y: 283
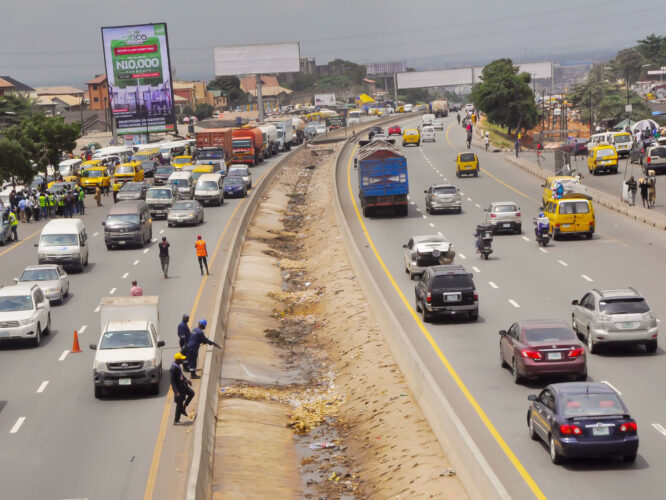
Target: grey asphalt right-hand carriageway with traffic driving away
x: 520, y: 281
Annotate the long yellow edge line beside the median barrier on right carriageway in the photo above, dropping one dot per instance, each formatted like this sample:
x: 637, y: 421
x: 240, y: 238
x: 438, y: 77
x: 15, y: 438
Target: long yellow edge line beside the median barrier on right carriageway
x: 449, y: 368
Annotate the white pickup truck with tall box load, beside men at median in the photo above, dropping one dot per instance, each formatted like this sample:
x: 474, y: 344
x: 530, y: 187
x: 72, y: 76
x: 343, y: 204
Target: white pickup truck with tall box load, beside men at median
x: 129, y: 351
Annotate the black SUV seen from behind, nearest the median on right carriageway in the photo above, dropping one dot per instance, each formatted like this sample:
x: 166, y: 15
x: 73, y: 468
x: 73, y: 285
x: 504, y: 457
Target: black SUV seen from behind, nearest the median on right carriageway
x: 446, y: 290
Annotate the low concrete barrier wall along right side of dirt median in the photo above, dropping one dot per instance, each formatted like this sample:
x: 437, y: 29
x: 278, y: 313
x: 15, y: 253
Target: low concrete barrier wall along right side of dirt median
x: 474, y: 471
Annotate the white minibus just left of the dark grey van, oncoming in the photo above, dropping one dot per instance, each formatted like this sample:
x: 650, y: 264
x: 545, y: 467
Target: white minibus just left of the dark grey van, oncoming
x: 64, y: 242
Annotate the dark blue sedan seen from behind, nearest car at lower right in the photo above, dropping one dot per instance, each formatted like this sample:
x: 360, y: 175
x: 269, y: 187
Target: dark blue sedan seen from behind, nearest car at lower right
x: 581, y: 419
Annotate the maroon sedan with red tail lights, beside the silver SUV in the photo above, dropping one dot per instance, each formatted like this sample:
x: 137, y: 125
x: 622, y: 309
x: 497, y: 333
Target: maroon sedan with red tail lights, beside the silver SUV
x: 537, y: 348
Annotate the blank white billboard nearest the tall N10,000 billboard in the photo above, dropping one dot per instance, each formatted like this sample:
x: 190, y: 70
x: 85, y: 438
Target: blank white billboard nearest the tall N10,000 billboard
x: 257, y: 59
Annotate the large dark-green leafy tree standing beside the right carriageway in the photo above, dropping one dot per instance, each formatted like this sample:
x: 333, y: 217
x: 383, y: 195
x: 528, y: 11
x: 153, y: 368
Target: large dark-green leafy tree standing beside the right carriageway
x: 505, y: 96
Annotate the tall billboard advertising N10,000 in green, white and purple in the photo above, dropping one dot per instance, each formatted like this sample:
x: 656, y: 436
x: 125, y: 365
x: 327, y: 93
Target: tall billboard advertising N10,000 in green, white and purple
x: 138, y: 71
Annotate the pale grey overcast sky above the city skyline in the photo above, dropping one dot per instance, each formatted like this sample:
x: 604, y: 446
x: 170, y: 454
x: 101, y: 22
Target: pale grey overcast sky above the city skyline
x: 46, y: 42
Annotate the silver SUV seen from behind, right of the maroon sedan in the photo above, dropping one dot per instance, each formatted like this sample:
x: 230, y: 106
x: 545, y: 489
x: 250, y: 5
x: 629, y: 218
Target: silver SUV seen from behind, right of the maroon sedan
x: 619, y: 316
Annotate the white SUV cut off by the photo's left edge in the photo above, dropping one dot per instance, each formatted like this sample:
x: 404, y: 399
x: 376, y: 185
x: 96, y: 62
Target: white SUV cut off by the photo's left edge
x: 25, y: 313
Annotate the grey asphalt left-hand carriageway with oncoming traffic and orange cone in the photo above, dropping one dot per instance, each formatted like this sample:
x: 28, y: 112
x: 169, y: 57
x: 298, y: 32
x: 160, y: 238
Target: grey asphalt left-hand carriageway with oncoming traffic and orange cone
x: 58, y: 441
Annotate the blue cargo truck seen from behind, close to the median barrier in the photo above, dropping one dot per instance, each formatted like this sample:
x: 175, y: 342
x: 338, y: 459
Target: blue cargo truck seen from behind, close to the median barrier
x: 382, y: 177
